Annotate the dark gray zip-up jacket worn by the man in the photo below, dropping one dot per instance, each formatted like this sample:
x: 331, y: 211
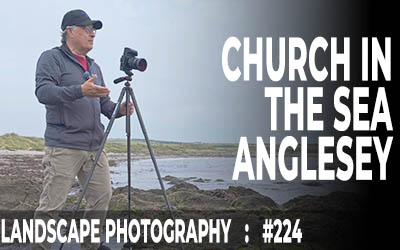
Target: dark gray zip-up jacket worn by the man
x: 73, y: 120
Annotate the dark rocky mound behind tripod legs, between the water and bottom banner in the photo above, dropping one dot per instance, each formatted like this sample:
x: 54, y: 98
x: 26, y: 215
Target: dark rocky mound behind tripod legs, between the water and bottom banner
x: 185, y: 195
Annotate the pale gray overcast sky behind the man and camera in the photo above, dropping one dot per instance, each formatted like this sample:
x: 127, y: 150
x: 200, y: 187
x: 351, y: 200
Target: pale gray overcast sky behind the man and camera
x: 183, y: 95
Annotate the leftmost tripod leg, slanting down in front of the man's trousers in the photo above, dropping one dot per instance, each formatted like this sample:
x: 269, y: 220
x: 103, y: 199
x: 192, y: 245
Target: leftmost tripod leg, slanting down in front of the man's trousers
x: 85, y: 187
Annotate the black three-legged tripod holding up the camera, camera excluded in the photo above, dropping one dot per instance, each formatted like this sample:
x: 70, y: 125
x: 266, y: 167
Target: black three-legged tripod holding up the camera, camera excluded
x: 127, y: 91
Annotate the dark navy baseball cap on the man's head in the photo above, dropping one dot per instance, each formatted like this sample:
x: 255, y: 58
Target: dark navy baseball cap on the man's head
x: 80, y: 18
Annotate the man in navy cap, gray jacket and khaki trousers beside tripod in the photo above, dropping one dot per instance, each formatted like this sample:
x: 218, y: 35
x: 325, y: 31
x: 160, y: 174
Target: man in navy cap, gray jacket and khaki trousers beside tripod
x: 71, y: 86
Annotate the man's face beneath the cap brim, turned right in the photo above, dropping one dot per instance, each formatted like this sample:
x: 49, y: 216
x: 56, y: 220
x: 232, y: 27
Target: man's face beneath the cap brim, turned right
x: 82, y: 38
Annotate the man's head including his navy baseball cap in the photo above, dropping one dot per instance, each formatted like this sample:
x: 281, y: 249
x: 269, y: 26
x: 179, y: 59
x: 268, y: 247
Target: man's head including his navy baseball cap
x: 78, y: 30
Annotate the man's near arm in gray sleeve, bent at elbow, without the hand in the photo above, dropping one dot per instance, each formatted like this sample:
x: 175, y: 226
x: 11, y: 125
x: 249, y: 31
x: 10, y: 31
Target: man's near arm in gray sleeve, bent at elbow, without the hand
x: 48, y: 76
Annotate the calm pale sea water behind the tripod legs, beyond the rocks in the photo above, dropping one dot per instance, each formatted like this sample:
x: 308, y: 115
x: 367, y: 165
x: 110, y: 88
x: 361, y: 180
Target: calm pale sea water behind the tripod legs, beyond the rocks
x: 216, y: 173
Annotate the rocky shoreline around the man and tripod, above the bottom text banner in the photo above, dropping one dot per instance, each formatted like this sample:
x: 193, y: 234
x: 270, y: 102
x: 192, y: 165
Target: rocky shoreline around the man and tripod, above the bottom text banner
x: 21, y: 175
